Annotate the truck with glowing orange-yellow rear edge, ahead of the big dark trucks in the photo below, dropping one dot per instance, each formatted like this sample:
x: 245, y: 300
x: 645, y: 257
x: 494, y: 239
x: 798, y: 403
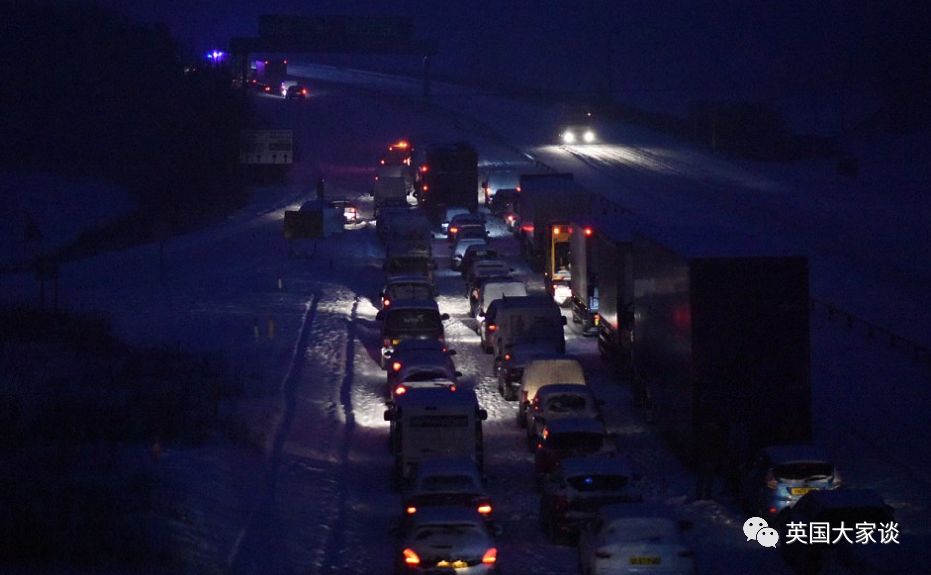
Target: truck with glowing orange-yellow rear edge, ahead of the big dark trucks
x: 546, y: 205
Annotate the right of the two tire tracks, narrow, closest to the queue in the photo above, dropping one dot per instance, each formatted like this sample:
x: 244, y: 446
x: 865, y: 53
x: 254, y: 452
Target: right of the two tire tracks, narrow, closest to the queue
x: 336, y: 540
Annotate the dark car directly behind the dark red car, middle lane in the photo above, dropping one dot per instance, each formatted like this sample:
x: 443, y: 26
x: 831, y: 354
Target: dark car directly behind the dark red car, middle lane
x: 578, y: 487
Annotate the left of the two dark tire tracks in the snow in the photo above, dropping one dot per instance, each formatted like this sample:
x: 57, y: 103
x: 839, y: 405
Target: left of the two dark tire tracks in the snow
x: 255, y: 549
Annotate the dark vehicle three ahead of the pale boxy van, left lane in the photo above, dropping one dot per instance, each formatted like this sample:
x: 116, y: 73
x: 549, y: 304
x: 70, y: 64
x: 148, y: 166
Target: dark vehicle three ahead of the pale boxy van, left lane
x: 409, y: 319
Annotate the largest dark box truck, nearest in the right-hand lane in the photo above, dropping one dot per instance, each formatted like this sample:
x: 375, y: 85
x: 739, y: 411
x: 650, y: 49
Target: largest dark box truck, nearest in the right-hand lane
x: 721, y: 344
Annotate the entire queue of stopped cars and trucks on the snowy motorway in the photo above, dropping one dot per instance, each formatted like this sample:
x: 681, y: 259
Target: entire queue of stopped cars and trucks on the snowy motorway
x: 711, y: 341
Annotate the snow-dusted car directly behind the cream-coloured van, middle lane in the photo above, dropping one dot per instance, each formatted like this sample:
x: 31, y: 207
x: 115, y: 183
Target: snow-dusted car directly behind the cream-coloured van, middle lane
x: 558, y: 401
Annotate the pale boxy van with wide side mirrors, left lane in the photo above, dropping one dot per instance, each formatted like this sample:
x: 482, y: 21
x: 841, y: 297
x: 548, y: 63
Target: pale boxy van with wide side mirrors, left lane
x: 434, y: 423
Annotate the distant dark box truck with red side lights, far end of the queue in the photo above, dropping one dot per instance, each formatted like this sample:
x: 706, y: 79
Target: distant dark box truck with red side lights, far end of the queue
x: 447, y: 178
